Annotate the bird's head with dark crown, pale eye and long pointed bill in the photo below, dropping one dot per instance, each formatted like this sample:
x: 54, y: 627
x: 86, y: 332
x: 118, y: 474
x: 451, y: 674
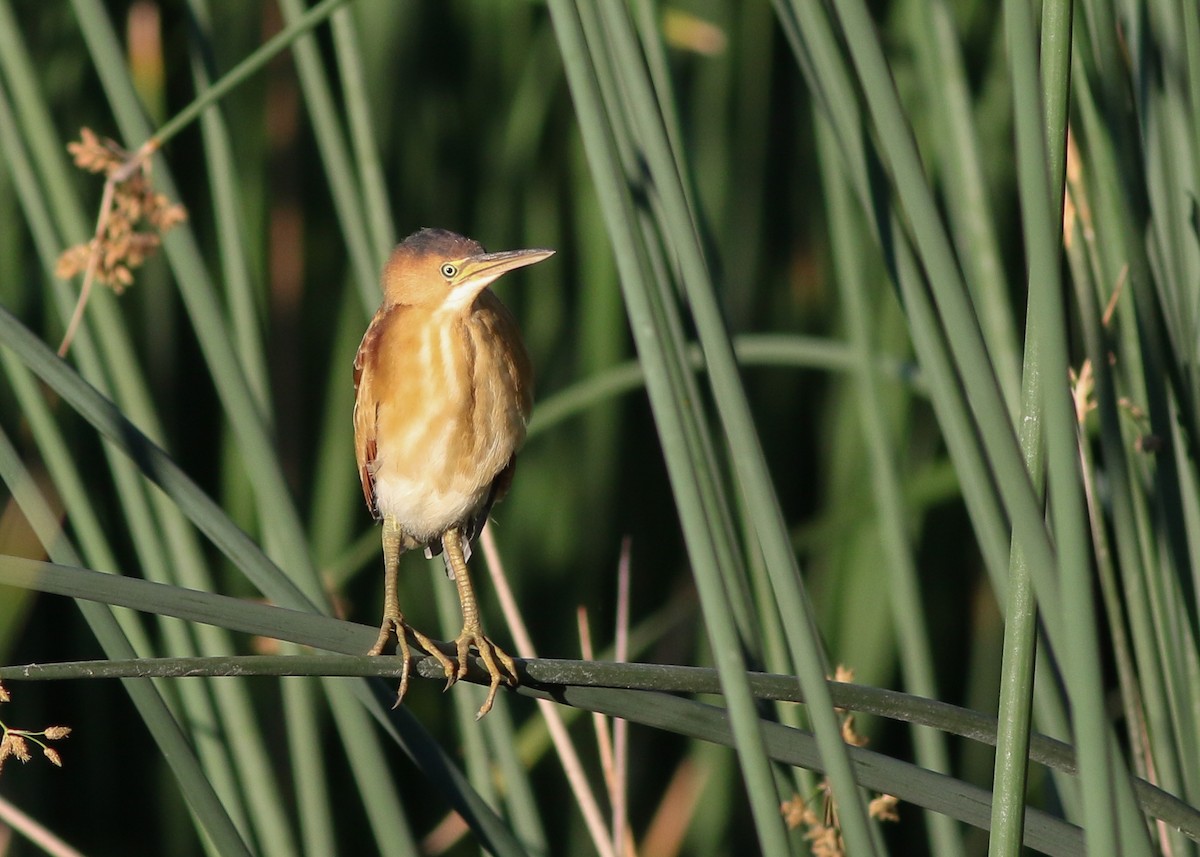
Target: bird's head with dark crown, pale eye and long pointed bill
x: 440, y: 269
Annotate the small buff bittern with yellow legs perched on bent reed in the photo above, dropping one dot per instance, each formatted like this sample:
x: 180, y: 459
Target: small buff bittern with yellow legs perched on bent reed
x: 443, y: 388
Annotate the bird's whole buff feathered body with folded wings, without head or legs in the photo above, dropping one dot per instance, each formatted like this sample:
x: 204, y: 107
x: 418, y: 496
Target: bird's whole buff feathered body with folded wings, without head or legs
x: 447, y: 468
